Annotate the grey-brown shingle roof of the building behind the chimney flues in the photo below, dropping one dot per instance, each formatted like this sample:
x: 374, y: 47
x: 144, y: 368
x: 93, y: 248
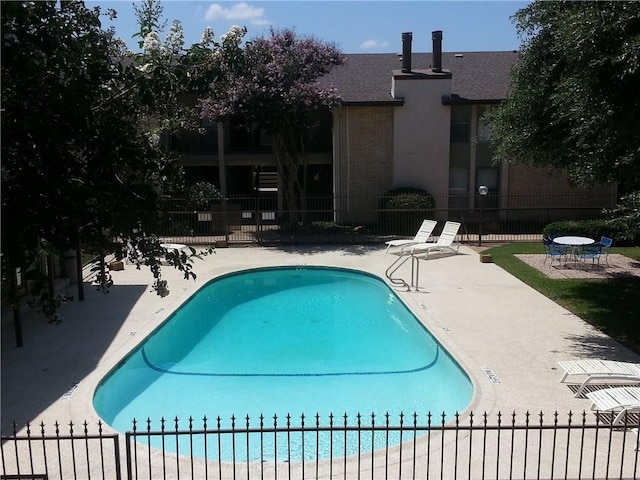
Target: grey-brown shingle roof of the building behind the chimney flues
x: 476, y: 76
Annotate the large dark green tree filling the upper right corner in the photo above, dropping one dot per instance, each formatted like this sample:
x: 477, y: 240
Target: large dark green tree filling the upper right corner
x: 574, y: 100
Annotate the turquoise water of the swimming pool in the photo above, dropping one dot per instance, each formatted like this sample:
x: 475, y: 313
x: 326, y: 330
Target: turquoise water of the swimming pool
x: 280, y: 341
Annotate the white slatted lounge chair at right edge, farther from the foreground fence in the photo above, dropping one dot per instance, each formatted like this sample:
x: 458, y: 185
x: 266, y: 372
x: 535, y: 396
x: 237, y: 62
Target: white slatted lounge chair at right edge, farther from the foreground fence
x: 603, y: 371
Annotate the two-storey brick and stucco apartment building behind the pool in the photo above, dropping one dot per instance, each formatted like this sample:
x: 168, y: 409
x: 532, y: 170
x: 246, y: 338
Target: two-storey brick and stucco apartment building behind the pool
x: 405, y: 120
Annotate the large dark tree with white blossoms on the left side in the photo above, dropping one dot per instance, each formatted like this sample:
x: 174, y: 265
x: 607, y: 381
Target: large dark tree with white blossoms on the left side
x: 82, y: 119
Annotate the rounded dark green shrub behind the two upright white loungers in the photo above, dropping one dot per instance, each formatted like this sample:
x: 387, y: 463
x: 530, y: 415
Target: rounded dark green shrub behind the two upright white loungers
x: 403, y: 209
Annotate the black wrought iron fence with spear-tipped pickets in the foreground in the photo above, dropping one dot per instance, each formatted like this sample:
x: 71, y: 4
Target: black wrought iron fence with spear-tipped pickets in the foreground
x: 361, y: 447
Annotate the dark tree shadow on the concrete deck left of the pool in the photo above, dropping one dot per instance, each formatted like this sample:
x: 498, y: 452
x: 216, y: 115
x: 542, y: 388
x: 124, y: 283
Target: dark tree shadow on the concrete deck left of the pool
x: 55, y: 357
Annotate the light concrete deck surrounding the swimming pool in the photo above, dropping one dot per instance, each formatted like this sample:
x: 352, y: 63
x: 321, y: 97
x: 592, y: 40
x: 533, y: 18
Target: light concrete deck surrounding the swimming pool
x: 498, y: 328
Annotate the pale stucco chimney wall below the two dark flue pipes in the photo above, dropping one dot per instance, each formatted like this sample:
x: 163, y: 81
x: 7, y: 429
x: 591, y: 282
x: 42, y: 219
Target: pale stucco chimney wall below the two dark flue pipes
x: 422, y: 126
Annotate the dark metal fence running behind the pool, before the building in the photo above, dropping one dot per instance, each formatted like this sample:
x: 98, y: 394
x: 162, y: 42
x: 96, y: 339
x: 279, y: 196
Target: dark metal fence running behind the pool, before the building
x: 249, y: 219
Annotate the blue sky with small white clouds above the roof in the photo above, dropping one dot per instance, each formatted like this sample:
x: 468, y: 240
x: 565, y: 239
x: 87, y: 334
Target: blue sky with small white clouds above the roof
x: 354, y: 26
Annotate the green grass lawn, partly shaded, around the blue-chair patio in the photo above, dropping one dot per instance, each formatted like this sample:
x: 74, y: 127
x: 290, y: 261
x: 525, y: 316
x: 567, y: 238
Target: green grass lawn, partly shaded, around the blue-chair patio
x: 612, y: 306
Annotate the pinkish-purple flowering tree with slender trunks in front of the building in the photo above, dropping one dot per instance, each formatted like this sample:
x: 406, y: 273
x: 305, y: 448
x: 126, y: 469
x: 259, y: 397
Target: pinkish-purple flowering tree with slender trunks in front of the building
x: 272, y: 83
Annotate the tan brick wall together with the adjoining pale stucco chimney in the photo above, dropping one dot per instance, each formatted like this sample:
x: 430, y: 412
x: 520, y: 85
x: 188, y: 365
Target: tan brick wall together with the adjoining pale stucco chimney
x: 382, y: 147
